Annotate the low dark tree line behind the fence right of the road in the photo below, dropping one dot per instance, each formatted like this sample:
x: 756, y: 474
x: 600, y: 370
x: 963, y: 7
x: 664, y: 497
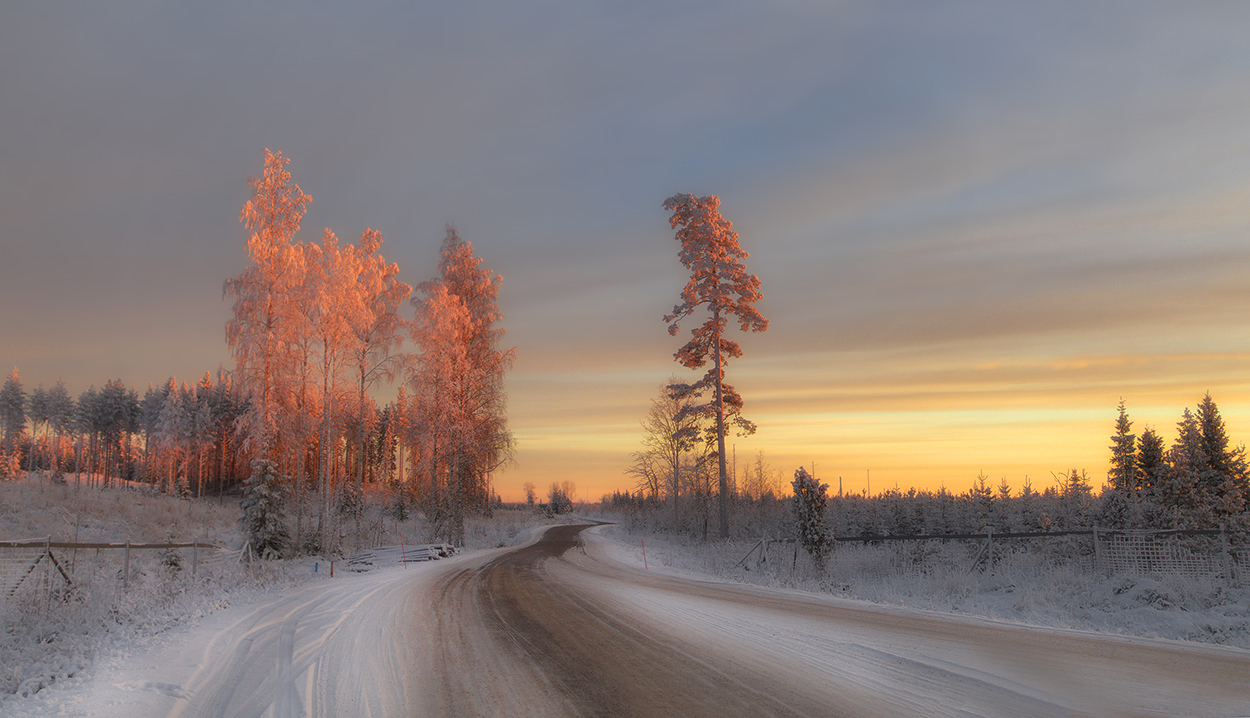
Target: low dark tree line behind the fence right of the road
x: 1201, y: 482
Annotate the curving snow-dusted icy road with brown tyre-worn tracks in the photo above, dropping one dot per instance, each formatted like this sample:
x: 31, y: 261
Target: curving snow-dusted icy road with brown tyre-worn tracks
x: 553, y: 629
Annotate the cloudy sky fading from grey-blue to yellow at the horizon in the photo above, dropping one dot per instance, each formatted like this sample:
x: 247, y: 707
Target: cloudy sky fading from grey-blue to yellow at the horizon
x: 978, y: 226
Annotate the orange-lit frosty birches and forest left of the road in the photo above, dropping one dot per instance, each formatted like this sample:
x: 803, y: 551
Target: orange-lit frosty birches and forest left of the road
x: 317, y: 328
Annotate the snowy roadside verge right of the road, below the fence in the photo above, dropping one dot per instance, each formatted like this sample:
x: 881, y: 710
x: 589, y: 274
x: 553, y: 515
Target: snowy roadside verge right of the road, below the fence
x: 1182, y: 610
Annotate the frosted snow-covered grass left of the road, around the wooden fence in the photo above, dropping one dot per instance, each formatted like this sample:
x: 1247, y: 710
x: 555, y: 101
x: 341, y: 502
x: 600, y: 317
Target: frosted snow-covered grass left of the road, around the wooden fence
x: 51, y: 636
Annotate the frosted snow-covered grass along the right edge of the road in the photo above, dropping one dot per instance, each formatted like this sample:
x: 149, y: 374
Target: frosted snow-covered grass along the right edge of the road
x: 1038, y: 585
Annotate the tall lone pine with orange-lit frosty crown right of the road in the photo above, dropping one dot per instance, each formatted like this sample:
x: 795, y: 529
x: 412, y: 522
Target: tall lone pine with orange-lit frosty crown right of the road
x: 721, y: 285
